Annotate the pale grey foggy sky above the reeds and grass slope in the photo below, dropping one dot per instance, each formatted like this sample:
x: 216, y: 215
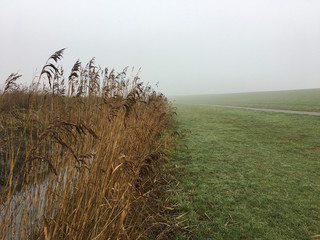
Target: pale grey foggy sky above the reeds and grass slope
x: 188, y: 46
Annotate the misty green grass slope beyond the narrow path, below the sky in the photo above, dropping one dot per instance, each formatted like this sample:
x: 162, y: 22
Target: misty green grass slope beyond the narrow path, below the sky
x: 303, y: 100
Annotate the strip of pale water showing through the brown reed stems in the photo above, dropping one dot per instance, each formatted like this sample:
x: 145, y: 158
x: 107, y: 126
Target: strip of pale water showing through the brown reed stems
x: 26, y: 207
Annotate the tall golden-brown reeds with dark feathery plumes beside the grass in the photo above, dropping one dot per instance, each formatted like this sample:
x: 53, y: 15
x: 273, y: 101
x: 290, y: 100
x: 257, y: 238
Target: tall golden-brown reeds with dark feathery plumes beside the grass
x: 80, y: 155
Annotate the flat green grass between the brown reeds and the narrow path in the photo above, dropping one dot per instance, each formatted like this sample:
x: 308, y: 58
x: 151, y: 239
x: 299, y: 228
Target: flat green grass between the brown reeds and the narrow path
x: 248, y: 174
